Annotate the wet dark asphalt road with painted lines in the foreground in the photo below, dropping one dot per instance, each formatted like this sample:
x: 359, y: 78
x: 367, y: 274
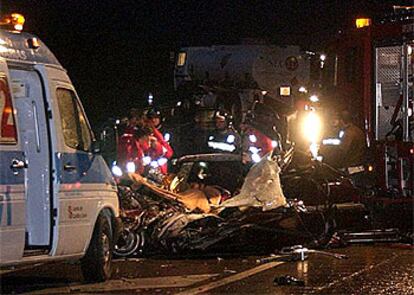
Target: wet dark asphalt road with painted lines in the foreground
x: 373, y: 269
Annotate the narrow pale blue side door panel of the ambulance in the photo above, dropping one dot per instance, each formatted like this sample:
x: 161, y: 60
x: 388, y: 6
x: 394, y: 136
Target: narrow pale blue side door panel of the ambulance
x: 33, y: 128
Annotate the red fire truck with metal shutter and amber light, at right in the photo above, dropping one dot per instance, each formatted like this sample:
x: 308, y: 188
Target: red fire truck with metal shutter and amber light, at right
x: 369, y: 70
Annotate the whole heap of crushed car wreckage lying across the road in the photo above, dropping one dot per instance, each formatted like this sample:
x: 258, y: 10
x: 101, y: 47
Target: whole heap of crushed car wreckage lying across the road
x: 216, y: 203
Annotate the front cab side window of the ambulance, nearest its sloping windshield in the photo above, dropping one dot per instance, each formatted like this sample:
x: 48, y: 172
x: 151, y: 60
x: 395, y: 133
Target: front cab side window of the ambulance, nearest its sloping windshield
x: 75, y: 128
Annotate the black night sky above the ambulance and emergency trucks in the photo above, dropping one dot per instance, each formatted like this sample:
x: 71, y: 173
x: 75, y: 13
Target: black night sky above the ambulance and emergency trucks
x: 116, y: 51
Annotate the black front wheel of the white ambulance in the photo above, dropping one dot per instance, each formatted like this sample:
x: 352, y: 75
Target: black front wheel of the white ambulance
x: 96, y: 265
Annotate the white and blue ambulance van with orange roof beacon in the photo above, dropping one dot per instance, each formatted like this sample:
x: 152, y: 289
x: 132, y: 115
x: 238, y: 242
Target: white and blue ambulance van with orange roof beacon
x: 58, y: 199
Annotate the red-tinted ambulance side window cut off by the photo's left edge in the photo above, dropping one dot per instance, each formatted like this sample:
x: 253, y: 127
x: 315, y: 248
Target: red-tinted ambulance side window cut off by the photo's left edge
x: 8, y: 134
